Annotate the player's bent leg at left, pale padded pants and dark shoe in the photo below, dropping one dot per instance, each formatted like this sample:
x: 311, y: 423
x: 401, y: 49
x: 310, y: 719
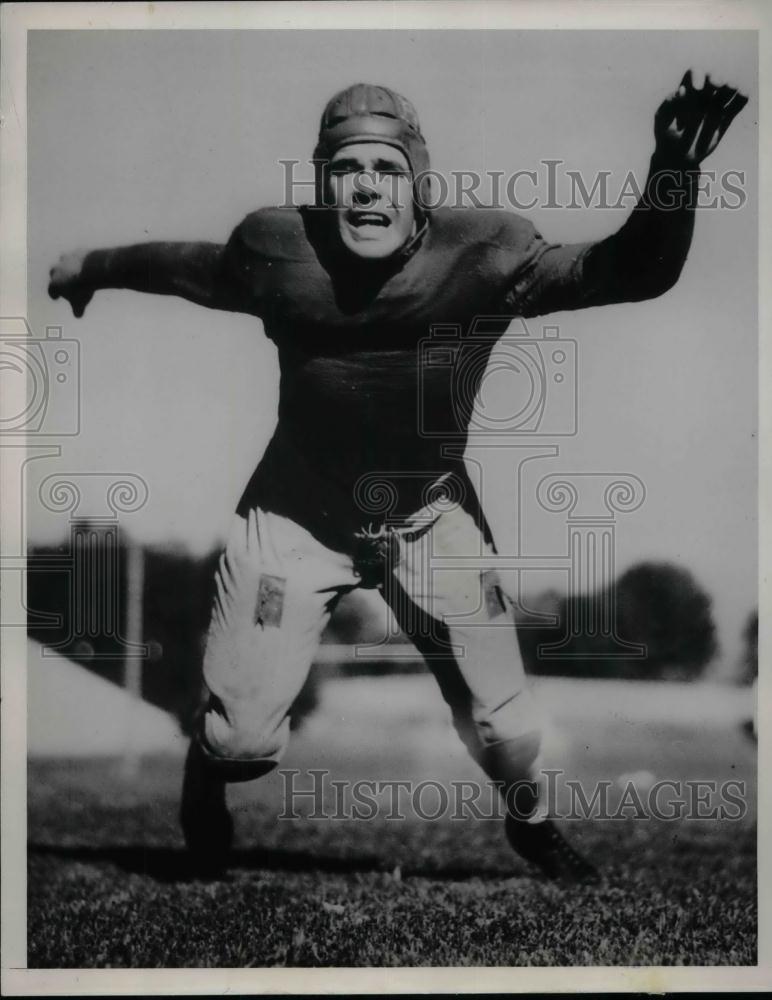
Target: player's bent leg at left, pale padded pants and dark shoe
x: 276, y: 586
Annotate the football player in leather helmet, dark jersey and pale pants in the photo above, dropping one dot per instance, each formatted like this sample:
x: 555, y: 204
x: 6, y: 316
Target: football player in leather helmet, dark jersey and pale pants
x: 348, y: 289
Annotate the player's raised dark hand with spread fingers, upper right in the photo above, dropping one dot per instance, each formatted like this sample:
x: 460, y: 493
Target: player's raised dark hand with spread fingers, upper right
x: 691, y: 122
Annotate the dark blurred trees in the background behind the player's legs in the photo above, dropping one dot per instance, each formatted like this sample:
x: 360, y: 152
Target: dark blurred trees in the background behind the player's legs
x: 657, y: 606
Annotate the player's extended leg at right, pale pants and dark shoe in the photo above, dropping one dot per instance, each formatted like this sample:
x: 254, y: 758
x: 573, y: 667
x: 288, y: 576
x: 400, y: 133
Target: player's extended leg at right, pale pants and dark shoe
x: 459, y: 618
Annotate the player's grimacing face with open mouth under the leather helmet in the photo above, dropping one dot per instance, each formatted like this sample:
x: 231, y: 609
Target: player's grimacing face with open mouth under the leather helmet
x: 371, y: 190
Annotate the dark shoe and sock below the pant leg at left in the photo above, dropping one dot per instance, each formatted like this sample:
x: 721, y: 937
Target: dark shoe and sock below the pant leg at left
x: 206, y: 823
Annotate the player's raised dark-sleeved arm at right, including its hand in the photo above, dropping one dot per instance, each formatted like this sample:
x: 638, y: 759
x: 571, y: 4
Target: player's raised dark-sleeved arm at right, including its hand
x: 644, y: 258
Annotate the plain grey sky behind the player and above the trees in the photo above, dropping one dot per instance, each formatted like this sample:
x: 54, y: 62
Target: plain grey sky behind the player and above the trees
x: 159, y: 135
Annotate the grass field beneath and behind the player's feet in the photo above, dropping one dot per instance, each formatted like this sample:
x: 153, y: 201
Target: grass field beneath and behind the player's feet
x: 108, y: 886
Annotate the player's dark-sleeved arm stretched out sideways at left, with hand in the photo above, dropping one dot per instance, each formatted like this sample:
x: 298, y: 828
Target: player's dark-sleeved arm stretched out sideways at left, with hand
x: 200, y: 272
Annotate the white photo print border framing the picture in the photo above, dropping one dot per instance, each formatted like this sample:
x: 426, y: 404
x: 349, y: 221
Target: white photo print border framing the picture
x: 17, y: 20
